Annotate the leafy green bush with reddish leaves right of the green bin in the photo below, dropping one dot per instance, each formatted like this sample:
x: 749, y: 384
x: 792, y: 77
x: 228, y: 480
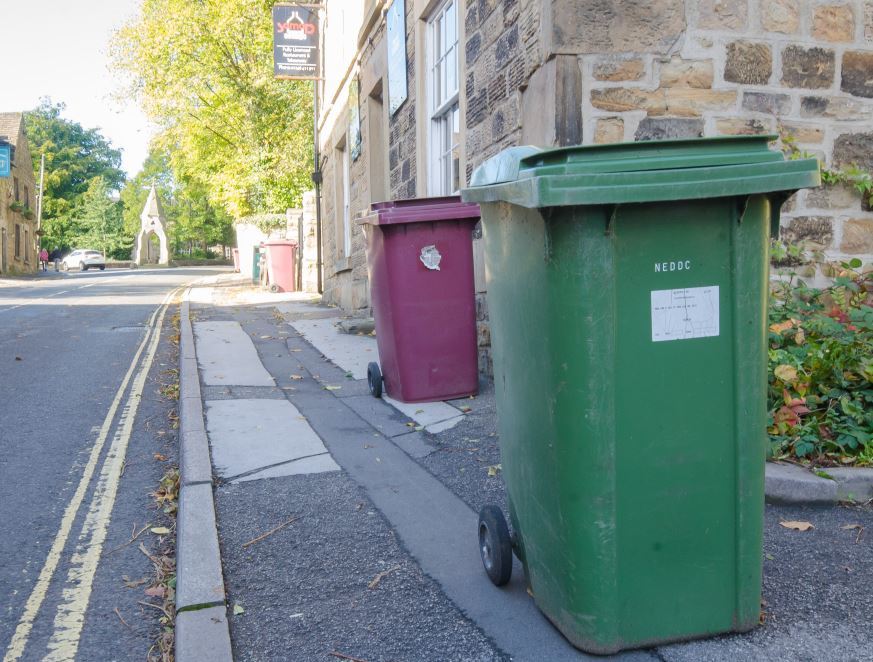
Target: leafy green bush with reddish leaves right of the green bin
x: 820, y: 390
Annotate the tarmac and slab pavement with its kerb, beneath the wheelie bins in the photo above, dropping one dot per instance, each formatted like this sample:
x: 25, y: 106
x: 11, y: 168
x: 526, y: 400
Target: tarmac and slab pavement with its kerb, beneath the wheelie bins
x: 317, y: 522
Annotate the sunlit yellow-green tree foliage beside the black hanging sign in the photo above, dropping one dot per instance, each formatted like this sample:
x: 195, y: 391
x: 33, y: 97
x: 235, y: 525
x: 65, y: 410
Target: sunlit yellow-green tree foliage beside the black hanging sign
x: 203, y: 72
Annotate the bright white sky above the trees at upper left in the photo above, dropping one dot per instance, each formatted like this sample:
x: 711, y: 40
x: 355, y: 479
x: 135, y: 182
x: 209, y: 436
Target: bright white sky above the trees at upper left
x: 59, y: 49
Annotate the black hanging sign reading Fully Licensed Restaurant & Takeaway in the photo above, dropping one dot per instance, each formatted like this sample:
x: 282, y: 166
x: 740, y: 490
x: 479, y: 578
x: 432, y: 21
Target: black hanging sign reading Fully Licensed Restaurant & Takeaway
x: 295, y: 41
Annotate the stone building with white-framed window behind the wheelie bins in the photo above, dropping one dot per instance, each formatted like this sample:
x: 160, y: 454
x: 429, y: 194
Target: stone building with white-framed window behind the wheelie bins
x: 483, y: 75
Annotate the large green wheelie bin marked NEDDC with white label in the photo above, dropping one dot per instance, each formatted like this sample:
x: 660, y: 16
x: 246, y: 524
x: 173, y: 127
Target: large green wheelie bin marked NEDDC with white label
x: 627, y: 289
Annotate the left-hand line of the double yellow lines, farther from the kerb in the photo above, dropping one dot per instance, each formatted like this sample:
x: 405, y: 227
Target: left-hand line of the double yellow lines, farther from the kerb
x: 22, y: 632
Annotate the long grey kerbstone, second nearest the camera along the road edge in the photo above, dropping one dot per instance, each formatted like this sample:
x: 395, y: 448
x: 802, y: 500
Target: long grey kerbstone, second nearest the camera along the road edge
x: 199, y: 579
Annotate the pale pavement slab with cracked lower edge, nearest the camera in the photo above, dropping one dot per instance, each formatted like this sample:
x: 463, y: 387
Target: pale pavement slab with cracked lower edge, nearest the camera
x: 248, y: 435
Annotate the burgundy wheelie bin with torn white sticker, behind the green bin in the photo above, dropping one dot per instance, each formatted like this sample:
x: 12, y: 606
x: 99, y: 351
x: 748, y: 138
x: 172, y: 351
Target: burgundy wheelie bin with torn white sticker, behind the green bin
x: 420, y: 261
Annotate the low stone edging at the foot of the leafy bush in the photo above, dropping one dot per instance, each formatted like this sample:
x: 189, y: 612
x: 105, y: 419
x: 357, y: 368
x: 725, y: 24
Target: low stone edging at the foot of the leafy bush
x: 789, y: 483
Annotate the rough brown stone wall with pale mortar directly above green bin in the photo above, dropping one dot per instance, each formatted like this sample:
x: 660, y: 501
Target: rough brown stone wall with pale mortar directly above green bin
x: 793, y: 67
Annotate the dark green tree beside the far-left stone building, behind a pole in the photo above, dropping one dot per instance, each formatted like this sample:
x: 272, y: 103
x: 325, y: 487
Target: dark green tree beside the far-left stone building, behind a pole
x: 74, y: 156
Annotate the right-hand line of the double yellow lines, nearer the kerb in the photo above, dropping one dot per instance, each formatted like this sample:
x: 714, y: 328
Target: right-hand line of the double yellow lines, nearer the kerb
x: 70, y: 616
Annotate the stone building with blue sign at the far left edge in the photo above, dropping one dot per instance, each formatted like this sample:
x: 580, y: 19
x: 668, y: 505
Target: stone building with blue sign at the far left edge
x: 19, y: 245
